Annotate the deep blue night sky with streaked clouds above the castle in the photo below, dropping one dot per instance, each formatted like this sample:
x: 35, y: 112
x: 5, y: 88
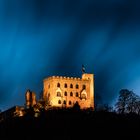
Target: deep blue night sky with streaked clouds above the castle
x: 41, y: 38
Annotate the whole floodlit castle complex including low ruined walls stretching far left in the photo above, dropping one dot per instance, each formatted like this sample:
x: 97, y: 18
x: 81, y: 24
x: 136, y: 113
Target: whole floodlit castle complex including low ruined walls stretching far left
x: 58, y: 92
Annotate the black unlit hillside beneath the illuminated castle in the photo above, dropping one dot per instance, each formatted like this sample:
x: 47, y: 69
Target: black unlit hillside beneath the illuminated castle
x: 71, y: 125
